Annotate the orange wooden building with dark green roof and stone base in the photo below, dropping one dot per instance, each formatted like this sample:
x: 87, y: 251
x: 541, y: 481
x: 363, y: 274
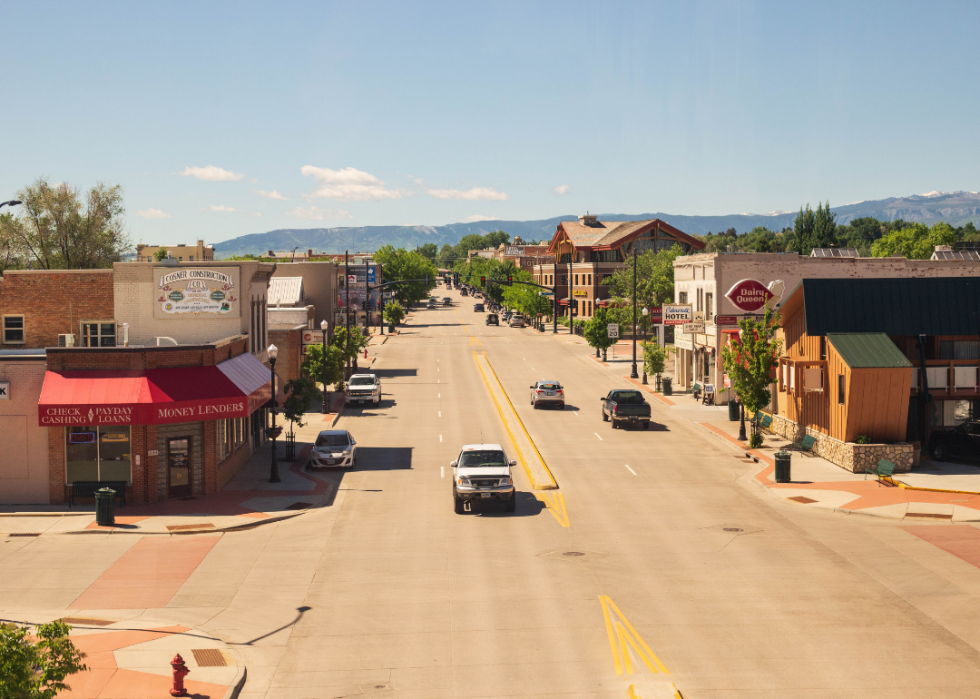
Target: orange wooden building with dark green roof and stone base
x: 886, y: 359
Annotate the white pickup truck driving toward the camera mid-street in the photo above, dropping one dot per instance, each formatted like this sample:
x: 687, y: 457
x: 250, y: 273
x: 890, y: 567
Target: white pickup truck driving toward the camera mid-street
x: 482, y: 472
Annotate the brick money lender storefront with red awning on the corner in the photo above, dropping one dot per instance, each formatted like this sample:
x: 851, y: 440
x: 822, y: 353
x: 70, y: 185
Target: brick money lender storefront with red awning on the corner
x: 166, y: 432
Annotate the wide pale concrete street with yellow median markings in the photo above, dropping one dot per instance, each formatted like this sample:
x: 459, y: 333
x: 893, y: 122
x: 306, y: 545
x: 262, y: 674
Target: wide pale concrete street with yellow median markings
x: 656, y: 566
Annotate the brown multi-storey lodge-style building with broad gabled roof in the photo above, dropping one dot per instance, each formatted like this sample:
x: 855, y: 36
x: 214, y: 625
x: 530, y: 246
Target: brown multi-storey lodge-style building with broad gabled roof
x: 589, y: 250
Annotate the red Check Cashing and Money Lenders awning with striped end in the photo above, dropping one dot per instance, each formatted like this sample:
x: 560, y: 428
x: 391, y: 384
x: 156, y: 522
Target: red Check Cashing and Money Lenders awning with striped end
x: 154, y: 396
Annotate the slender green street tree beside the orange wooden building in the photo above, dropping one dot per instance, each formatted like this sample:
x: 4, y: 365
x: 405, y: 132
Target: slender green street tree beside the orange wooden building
x: 750, y: 362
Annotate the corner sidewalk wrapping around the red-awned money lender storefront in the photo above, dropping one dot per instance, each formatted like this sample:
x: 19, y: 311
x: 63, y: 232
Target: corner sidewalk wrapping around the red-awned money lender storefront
x: 247, y: 500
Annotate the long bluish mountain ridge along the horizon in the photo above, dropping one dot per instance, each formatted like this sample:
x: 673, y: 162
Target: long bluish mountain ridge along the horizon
x: 955, y: 208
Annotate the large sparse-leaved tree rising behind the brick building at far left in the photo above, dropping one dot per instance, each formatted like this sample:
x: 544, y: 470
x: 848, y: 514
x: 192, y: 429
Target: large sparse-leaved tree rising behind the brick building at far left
x: 55, y: 231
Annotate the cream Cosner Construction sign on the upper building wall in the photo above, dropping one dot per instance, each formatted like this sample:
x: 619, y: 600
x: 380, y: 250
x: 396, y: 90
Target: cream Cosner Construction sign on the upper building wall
x: 181, y: 292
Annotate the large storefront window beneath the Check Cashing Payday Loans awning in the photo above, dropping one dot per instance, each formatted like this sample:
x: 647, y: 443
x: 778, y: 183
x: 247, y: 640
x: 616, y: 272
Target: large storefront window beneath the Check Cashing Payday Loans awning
x: 98, y: 454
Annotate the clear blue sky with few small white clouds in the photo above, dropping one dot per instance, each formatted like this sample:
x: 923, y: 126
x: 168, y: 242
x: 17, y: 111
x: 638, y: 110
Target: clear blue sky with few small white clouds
x: 221, y: 119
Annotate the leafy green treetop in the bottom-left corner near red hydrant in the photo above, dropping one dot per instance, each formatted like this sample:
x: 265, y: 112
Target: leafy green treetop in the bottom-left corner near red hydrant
x: 36, y: 667
